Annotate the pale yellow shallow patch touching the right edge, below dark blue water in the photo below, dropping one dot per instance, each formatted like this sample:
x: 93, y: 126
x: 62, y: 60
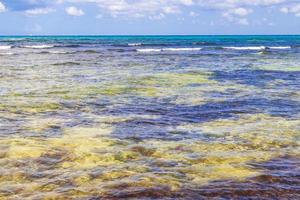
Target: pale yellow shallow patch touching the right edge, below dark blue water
x: 258, y: 130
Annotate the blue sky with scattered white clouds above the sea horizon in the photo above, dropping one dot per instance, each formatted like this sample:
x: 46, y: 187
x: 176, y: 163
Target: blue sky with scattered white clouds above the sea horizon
x: 149, y: 17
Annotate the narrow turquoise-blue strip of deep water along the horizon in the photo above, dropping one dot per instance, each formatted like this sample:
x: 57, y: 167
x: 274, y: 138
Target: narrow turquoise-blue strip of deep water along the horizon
x: 244, y: 40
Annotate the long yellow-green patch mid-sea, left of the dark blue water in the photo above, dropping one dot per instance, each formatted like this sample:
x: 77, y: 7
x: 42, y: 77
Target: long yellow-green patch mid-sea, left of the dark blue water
x: 149, y: 86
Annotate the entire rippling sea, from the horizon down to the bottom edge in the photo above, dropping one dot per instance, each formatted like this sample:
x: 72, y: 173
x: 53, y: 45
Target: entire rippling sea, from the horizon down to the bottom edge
x: 150, y: 117
